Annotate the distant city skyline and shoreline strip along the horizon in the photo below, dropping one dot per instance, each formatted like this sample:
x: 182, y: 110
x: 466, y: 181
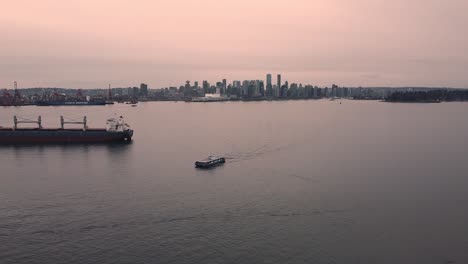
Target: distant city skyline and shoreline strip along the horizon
x: 224, y: 90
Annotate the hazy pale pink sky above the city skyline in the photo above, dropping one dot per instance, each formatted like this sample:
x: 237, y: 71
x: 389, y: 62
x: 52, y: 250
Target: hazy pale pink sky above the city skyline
x: 90, y: 43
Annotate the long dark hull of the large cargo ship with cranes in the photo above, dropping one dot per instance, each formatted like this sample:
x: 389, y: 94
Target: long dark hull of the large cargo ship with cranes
x: 43, y: 136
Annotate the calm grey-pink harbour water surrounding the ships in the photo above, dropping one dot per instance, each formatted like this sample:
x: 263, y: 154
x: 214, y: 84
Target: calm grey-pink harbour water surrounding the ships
x: 304, y: 182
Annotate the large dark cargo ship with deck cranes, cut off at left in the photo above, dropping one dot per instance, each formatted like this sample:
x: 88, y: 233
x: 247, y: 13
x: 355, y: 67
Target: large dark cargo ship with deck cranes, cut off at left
x: 116, y: 130
